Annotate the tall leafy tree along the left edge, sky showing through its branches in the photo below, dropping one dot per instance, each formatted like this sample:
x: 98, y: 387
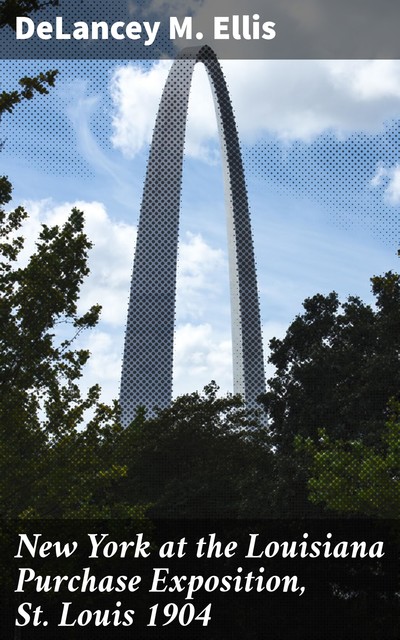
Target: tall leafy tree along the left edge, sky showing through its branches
x: 55, y: 461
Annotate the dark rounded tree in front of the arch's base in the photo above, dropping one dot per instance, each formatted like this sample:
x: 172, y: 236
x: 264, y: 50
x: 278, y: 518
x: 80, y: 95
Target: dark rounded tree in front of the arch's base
x: 203, y: 456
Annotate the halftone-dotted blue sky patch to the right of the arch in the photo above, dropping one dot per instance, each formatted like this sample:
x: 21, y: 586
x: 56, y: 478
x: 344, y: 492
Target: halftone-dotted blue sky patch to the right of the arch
x: 340, y: 175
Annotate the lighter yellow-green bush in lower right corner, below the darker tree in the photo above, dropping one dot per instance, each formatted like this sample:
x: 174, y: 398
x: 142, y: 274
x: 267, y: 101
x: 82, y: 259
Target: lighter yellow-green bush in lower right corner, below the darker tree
x: 350, y: 476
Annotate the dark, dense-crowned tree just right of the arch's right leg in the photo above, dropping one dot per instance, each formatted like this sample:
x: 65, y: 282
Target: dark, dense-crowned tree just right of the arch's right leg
x: 336, y: 369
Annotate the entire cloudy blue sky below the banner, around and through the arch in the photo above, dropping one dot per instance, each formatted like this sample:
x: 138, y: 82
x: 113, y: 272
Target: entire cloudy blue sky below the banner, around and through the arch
x: 320, y: 145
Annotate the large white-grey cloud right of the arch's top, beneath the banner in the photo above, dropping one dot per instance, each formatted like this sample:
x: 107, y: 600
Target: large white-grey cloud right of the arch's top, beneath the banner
x: 297, y: 99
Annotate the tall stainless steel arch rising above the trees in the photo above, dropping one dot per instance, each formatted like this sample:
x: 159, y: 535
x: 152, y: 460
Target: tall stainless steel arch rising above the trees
x: 148, y: 352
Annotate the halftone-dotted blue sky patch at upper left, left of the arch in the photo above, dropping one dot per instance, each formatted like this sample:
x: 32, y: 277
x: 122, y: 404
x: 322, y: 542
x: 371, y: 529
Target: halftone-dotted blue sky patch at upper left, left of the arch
x: 53, y: 146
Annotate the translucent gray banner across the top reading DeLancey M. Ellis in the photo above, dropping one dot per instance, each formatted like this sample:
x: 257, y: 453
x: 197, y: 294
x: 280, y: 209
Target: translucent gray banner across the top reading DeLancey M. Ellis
x: 255, y: 29
